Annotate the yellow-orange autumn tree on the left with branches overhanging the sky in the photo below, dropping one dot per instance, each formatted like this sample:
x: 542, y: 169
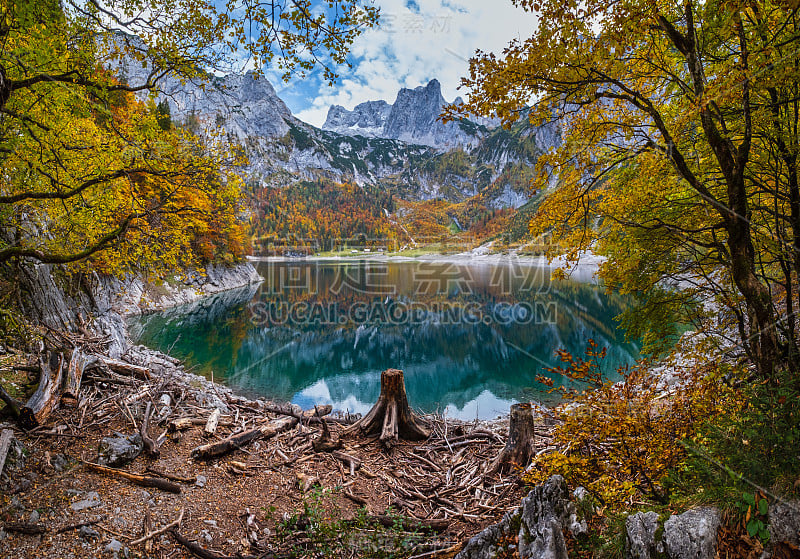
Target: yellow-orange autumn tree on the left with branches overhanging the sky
x: 89, y: 163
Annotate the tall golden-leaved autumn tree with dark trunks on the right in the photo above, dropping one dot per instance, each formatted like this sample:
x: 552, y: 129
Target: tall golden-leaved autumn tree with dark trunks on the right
x: 679, y: 151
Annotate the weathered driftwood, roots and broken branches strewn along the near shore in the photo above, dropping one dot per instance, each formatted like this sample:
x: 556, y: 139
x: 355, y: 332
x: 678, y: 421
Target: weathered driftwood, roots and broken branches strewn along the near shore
x: 432, y: 474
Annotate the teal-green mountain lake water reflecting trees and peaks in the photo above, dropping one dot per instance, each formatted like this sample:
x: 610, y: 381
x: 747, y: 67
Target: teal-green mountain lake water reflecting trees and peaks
x: 471, y: 338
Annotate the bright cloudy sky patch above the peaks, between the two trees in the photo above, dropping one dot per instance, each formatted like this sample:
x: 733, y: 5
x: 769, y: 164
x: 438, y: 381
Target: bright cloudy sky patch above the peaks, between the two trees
x: 418, y: 40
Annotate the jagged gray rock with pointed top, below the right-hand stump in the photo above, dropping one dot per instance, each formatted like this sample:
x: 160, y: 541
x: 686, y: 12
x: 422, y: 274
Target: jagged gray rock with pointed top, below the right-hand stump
x: 539, y: 524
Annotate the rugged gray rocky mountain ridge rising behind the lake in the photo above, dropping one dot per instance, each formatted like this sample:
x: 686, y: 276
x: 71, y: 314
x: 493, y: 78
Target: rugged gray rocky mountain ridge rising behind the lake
x: 404, y: 146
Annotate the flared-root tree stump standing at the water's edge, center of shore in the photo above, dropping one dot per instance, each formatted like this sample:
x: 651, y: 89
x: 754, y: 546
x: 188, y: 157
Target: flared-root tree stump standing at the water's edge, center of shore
x: 391, y: 415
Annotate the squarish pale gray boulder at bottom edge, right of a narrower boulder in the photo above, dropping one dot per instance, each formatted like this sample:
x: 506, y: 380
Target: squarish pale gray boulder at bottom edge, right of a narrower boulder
x: 693, y: 534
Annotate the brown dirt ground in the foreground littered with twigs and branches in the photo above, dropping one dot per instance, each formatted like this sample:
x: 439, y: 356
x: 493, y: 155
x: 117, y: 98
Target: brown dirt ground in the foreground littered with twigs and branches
x: 272, y: 497
